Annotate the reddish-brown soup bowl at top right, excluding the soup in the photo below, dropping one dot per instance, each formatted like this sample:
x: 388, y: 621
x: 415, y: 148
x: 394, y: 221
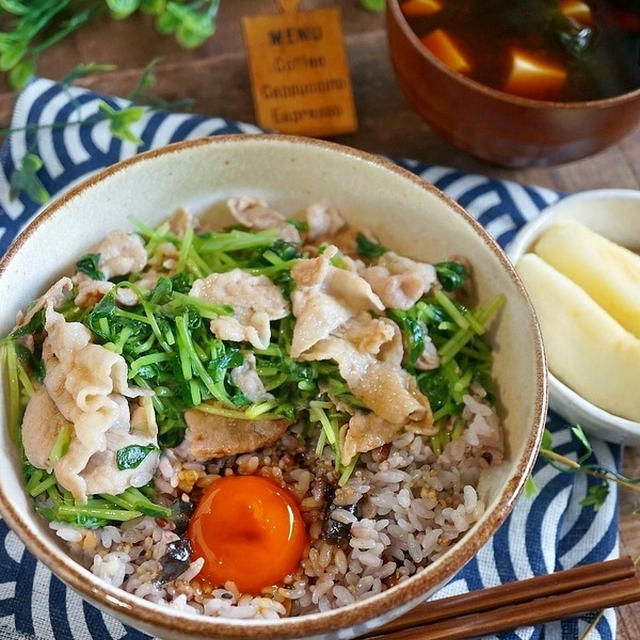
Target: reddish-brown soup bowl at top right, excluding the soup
x: 493, y: 125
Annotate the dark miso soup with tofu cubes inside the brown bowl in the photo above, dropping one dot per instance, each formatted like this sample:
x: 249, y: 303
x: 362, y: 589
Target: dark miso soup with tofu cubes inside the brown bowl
x: 564, y: 50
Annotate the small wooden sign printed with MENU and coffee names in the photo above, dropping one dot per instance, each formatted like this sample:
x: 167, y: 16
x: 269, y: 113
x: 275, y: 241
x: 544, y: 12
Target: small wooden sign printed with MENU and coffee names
x: 299, y: 71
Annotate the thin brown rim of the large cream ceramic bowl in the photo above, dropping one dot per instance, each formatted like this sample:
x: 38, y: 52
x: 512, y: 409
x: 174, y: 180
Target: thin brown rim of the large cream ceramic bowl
x: 121, y: 602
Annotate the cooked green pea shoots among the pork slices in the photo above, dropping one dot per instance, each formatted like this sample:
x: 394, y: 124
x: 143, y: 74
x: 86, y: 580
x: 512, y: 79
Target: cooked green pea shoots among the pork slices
x: 166, y: 342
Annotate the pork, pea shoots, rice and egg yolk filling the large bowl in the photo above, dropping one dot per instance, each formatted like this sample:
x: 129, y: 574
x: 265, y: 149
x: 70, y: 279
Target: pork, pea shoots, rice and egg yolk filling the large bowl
x: 272, y: 419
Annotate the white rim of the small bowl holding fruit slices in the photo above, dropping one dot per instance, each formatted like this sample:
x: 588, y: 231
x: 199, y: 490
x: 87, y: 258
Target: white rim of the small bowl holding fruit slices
x: 520, y: 244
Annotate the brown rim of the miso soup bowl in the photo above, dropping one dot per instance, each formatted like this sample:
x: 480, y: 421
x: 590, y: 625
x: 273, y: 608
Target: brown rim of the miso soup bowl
x: 601, y: 103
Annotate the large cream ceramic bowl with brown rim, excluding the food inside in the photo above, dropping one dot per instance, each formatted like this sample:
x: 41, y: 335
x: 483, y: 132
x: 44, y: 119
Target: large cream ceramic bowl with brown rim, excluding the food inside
x: 407, y: 214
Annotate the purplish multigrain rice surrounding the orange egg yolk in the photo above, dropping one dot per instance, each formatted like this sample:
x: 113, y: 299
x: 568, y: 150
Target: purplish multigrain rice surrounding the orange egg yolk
x: 412, y: 507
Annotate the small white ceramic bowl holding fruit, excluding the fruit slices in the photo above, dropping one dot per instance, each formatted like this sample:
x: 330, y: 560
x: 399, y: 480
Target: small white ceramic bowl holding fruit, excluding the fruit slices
x: 615, y: 214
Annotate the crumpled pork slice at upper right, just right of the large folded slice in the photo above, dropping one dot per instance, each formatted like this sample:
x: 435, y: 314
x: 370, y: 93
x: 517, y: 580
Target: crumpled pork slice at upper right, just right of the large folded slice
x: 400, y: 282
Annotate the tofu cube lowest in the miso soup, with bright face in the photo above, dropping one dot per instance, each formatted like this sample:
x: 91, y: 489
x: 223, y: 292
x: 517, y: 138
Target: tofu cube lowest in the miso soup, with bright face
x: 531, y: 77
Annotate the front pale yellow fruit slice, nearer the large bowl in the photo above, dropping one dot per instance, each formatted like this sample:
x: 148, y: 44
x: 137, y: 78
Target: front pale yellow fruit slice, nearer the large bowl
x: 586, y: 348
